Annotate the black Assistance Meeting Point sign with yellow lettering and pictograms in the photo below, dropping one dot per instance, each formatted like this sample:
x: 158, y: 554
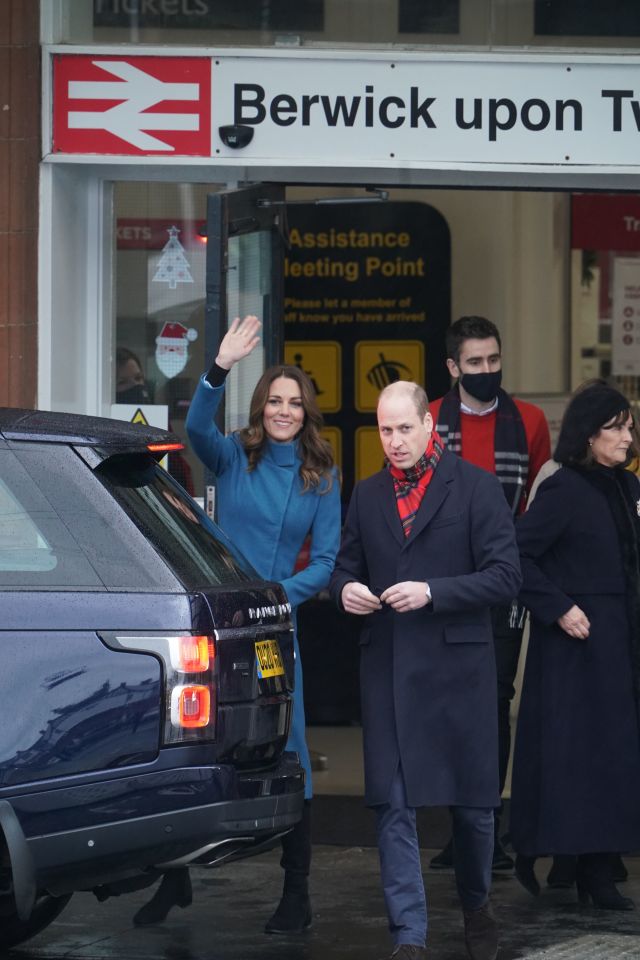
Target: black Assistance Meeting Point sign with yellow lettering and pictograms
x: 366, y: 303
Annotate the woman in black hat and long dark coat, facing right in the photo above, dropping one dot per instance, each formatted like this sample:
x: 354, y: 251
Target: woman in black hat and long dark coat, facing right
x: 576, y: 776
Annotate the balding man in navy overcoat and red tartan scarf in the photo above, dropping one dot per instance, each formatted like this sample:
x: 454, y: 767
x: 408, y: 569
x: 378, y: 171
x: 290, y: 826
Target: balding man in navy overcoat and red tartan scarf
x: 428, y: 547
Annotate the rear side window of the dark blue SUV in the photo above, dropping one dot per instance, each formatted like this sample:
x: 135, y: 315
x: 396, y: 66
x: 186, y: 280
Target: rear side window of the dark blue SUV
x: 60, y: 530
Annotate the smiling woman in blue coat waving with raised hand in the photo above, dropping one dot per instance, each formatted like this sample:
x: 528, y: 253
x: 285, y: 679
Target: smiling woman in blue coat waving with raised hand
x: 275, y: 484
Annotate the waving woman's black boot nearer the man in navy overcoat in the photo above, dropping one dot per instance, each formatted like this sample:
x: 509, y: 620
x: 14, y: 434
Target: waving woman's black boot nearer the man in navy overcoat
x: 293, y: 913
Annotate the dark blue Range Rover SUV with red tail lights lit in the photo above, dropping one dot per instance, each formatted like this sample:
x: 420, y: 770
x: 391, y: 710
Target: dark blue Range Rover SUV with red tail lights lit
x: 146, y: 669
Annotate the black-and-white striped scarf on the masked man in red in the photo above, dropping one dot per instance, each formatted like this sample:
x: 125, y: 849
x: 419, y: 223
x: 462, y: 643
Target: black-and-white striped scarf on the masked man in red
x: 510, y: 443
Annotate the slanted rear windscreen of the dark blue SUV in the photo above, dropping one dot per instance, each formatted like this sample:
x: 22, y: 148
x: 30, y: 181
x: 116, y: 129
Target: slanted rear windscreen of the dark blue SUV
x: 195, y: 547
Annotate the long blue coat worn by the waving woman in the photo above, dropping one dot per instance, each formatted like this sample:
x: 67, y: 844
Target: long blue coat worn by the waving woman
x: 267, y: 517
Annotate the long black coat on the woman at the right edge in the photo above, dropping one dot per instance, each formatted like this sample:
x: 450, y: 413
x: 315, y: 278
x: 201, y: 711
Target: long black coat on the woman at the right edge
x: 576, y: 775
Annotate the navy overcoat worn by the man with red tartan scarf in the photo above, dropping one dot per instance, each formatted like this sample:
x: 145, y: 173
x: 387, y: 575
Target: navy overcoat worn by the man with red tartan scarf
x: 428, y: 677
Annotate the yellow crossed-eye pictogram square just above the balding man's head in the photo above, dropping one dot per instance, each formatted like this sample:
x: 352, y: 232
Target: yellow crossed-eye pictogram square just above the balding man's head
x: 381, y: 362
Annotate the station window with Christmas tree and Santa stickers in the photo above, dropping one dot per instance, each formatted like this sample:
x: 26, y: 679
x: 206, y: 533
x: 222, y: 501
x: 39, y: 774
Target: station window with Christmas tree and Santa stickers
x: 160, y: 292
